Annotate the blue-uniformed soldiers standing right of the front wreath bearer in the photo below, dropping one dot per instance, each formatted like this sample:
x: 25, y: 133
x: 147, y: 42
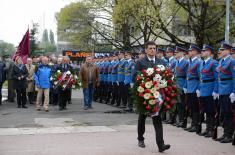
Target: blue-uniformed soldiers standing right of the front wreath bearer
x: 206, y: 88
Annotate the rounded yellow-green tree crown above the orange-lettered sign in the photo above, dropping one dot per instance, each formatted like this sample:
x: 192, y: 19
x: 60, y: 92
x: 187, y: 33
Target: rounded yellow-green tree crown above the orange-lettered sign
x: 74, y: 25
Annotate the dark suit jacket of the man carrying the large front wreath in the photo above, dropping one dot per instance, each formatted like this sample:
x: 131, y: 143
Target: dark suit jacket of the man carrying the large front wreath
x: 145, y: 64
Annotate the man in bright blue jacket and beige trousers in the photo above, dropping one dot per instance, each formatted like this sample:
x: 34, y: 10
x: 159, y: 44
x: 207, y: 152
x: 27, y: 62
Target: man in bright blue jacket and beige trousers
x: 42, y: 81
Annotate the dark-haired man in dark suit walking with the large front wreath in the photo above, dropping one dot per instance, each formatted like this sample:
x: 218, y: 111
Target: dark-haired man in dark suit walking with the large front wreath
x: 149, y: 61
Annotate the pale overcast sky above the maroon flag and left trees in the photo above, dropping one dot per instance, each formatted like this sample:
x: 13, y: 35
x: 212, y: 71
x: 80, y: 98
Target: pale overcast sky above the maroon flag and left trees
x: 17, y: 15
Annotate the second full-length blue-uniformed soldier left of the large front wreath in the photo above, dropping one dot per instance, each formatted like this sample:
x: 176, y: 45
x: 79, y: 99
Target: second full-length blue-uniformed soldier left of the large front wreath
x: 121, y: 77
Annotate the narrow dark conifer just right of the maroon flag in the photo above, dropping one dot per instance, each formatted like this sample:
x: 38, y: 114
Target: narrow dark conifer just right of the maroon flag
x: 33, y: 39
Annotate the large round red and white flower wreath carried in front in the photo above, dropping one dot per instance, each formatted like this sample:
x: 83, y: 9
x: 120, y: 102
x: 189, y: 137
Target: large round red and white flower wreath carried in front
x: 154, y: 90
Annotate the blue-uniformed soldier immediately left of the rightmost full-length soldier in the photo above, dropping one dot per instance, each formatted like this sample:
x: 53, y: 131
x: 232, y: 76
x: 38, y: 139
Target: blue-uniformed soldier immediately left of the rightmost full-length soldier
x: 208, y: 89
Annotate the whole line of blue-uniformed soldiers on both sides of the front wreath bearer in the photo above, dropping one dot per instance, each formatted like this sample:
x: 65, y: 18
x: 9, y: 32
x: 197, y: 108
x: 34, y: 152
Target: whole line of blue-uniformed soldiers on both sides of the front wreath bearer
x: 206, y: 86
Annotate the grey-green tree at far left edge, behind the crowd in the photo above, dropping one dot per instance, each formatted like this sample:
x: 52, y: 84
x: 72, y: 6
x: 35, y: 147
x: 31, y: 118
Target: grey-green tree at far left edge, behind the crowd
x: 6, y: 49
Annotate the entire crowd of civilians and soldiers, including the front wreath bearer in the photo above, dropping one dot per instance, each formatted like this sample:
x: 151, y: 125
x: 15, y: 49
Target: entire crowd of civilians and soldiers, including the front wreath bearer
x: 205, y: 79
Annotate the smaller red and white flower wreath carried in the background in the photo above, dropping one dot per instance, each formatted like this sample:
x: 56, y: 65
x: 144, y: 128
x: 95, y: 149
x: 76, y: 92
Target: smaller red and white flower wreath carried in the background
x: 65, y: 80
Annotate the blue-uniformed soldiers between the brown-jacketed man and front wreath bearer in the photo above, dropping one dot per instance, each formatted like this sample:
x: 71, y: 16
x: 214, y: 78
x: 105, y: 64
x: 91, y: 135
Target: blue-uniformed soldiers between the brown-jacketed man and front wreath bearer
x: 116, y: 73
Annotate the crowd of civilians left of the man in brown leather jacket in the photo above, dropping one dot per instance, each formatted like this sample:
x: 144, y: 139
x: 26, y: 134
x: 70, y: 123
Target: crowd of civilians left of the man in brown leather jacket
x: 31, y: 82
